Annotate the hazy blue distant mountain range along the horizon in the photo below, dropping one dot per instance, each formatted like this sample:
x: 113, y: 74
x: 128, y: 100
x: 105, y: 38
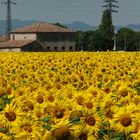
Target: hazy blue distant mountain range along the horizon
x: 77, y: 25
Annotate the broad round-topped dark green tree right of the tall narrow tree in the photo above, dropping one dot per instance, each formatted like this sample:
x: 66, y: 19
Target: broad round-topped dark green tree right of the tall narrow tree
x: 126, y: 40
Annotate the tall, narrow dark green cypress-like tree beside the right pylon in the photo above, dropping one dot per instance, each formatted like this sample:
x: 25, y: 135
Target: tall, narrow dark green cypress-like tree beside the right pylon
x: 107, y: 30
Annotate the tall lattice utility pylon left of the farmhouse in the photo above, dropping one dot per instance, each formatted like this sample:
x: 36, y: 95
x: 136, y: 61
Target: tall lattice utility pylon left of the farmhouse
x: 8, y: 18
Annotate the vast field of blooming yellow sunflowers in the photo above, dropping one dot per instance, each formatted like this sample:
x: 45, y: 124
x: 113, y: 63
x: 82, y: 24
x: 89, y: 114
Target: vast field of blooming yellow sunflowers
x: 70, y: 96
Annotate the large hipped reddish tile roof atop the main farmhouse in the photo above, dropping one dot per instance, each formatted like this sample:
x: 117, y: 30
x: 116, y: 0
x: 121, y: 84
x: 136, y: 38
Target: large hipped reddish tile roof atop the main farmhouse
x: 41, y: 27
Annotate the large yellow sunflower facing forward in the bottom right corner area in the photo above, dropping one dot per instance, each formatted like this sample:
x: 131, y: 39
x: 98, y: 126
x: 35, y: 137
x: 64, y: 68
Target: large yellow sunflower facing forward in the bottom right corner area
x: 124, y: 119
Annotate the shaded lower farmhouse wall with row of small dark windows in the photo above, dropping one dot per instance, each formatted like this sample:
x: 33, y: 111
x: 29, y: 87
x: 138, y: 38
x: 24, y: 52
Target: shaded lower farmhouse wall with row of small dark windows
x: 59, y: 46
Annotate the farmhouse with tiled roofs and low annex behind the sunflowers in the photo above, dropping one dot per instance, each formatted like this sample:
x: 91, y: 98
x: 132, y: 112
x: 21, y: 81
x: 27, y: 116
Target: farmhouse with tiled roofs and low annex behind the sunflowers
x: 40, y: 37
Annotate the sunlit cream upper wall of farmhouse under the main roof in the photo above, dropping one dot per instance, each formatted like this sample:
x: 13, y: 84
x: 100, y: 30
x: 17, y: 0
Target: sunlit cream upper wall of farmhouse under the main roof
x: 23, y: 36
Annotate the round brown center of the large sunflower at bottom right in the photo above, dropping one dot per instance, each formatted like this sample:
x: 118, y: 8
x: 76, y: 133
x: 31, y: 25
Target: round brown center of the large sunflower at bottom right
x: 125, y: 120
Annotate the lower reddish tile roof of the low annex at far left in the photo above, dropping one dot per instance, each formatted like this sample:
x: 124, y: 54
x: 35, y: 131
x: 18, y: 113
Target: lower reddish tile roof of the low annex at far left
x: 15, y: 43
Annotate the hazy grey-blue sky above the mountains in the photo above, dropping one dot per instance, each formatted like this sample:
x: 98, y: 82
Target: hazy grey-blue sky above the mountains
x: 67, y: 11
